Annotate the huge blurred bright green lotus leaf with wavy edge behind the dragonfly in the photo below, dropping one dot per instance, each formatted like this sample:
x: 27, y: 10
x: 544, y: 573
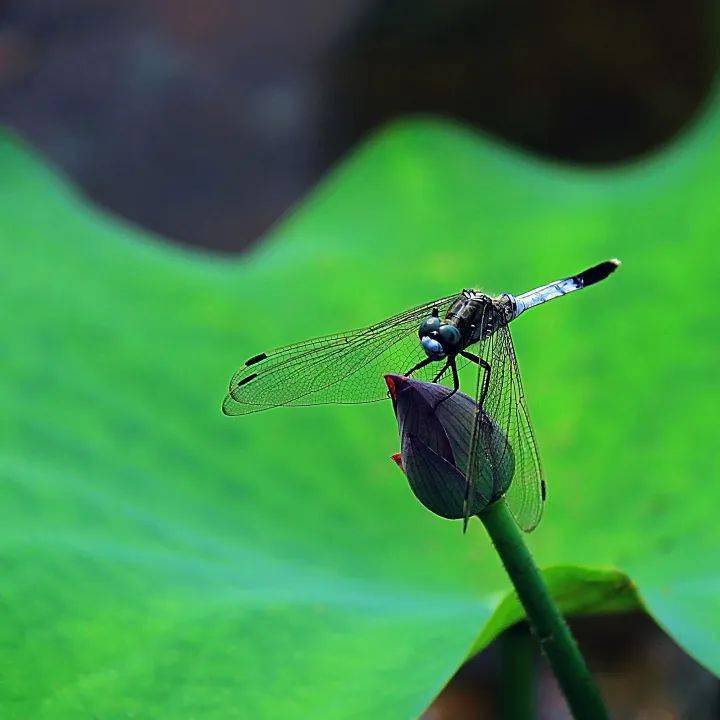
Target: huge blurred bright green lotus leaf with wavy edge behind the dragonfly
x: 160, y: 560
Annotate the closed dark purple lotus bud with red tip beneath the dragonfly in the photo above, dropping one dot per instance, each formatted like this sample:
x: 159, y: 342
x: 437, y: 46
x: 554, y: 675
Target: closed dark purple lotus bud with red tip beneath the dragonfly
x: 434, y: 447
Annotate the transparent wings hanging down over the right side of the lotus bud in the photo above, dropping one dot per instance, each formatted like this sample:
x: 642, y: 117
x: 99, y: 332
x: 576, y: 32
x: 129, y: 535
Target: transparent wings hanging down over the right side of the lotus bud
x: 504, y: 405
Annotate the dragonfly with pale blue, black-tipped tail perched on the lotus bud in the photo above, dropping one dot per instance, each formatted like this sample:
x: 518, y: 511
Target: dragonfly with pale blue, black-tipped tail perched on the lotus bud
x: 431, y: 342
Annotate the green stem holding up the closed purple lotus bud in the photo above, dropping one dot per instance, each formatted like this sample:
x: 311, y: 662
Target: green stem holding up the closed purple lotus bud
x: 546, y: 622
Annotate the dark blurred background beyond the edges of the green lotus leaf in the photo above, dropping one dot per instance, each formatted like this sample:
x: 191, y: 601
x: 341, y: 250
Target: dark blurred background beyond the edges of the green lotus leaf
x: 207, y: 122
